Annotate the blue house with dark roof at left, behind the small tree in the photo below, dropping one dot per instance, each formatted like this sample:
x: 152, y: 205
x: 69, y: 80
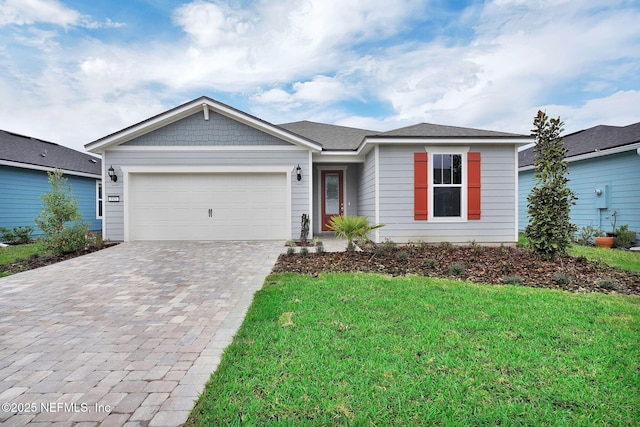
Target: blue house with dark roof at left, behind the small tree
x: 24, y: 163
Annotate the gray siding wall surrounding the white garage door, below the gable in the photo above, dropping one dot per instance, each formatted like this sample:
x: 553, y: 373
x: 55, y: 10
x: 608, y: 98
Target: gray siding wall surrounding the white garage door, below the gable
x: 289, y: 158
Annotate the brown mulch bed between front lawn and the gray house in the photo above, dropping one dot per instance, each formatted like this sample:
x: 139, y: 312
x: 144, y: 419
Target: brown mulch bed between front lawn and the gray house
x: 495, y: 265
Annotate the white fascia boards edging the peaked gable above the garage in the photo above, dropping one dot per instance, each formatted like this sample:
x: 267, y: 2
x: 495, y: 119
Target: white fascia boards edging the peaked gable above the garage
x: 186, y: 110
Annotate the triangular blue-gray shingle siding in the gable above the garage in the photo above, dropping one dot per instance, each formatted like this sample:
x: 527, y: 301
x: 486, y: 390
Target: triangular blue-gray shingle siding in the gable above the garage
x: 194, y: 130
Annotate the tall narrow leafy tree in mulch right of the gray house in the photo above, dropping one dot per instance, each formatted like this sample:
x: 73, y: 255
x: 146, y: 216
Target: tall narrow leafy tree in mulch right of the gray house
x: 550, y: 230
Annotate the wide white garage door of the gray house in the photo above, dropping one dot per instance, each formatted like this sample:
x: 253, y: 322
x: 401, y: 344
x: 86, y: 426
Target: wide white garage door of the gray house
x: 217, y: 206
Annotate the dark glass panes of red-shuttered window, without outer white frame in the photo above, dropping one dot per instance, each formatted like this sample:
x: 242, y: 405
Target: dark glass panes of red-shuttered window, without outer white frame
x: 447, y: 185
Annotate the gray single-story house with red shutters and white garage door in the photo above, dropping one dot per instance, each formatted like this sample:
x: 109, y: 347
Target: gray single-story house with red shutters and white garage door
x: 207, y: 171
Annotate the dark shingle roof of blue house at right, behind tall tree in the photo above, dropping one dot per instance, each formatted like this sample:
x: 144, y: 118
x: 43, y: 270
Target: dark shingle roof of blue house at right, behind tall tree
x: 597, y: 139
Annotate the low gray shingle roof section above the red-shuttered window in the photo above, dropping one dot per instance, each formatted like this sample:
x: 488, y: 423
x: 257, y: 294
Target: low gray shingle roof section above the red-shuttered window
x: 430, y: 130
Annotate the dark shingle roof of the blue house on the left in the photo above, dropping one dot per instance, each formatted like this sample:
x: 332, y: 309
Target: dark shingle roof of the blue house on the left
x: 32, y: 153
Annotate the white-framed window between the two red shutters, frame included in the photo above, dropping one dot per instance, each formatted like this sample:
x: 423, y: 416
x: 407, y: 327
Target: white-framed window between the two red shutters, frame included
x: 448, y: 181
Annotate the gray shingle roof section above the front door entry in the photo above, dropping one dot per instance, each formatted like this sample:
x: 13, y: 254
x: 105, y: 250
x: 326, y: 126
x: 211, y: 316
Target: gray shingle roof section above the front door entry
x: 331, y: 137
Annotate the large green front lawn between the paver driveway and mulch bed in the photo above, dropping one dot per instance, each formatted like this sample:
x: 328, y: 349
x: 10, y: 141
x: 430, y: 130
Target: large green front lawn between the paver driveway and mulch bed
x: 362, y: 349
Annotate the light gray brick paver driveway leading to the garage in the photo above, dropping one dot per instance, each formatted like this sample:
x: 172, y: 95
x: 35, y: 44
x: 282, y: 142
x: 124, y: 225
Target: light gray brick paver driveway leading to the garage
x: 124, y: 336
